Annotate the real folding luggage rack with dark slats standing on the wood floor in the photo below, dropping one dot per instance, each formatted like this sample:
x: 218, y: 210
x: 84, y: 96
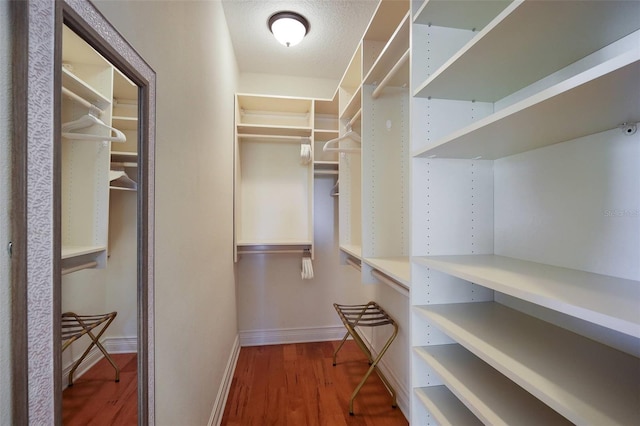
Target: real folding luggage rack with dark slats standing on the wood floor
x: 369, y: 315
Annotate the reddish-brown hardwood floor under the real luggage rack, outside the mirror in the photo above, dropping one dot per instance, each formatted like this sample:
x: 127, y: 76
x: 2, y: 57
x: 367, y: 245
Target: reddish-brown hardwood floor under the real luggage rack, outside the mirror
x: 297, y: 385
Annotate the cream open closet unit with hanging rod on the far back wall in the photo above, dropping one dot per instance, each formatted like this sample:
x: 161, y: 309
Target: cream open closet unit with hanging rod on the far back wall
x: 273, y: 187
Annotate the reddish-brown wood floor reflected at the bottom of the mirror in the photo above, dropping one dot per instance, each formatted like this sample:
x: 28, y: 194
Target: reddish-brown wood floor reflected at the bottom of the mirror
x: 96, y: 399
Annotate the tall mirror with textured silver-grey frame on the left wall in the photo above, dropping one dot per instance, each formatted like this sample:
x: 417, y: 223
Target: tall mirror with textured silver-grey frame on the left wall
x: 83, y: 216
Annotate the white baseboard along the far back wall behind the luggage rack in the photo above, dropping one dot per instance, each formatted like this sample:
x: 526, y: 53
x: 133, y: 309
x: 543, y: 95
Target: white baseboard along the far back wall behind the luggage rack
x: 291, y: 335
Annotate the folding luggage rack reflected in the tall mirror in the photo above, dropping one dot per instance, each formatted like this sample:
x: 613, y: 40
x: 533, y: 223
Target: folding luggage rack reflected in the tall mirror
x: 75, y: 326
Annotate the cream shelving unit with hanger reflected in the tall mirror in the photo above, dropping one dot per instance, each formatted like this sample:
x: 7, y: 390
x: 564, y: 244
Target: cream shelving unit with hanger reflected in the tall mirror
x: 84, y: 163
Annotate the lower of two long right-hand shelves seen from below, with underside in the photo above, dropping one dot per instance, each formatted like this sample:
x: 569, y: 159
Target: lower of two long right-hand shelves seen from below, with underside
x: 548, y: 135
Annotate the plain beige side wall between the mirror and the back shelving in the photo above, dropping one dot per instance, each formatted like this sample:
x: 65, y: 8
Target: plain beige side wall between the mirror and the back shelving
x: 188, y: 46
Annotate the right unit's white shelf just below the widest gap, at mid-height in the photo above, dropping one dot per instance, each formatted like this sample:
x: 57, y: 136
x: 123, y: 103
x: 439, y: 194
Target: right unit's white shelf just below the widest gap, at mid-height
x: 604, y: 300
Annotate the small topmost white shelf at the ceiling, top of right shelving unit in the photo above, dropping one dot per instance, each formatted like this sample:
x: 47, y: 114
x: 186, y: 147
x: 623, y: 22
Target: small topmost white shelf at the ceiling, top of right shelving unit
x: 463, y: 14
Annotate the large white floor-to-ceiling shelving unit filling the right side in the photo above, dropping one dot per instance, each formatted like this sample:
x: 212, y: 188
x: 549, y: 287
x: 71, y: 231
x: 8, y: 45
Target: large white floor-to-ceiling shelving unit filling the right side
x: 524, y: 286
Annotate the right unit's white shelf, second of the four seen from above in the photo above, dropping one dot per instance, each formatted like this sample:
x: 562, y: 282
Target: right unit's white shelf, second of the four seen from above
x: 585, y: 381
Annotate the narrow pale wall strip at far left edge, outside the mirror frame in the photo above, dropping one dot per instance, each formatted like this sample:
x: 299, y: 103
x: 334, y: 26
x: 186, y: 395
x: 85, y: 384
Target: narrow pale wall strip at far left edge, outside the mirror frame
x: 5, y: 188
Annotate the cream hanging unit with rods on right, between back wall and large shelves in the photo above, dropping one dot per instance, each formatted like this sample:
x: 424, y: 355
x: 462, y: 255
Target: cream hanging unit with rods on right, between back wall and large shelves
x: 374, y: 182
